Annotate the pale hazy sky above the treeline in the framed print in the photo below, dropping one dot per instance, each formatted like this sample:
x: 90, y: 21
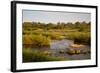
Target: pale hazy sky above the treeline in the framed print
x: 54, y: 17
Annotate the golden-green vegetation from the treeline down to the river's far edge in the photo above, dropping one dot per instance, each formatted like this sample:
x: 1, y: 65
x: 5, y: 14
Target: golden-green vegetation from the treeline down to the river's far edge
x: 40, y: 34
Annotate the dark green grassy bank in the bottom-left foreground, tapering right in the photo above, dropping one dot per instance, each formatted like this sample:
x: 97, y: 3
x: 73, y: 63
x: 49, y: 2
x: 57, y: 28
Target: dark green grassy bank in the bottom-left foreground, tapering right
x: 37, y: 56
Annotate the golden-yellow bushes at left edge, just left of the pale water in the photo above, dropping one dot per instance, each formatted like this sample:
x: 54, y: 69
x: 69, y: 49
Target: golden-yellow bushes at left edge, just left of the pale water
x: 36, y: 40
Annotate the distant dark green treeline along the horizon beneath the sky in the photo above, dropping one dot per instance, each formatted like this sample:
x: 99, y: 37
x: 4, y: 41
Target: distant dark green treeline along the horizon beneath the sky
x: 60, y: 25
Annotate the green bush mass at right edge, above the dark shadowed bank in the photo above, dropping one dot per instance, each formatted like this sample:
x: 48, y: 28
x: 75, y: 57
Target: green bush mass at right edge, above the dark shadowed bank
x: 80, y: 37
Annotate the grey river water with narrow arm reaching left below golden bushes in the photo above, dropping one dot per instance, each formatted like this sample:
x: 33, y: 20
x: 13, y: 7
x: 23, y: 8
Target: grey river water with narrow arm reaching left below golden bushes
x: 59, y: 48
